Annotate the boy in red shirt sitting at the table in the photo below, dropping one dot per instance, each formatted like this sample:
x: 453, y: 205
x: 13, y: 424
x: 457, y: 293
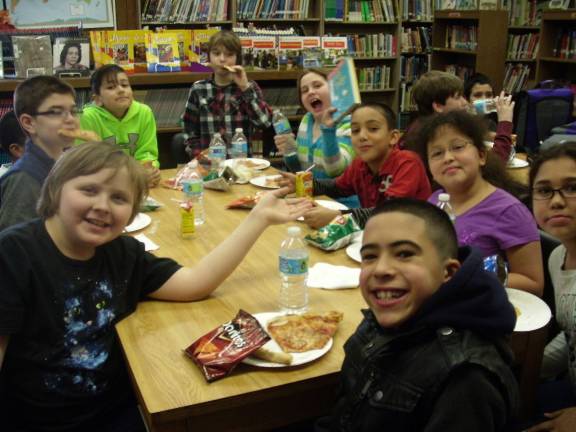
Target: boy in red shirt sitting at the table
x: 380, y: 171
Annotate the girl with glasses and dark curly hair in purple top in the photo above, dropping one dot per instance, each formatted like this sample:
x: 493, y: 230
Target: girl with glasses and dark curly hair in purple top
x: 487, y: 216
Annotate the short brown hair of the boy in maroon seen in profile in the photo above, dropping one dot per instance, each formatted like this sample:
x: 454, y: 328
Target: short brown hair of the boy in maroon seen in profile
x: 435, y: 86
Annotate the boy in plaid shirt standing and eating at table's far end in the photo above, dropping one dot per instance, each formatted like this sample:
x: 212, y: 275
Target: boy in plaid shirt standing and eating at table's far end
x: 226, y: 101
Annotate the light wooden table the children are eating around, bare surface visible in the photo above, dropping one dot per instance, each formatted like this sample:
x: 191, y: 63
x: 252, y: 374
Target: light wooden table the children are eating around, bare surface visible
x: 172, y: 391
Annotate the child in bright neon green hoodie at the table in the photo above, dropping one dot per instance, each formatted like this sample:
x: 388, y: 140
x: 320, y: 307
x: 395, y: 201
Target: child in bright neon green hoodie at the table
x: 118, y: 119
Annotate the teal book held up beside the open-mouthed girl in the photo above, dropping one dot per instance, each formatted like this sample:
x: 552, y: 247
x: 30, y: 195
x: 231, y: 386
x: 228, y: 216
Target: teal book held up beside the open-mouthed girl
x: 344, y: 90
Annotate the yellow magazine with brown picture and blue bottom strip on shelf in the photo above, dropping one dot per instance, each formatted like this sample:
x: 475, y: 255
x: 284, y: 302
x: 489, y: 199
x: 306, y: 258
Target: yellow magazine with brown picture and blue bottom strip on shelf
x: 162, y: 52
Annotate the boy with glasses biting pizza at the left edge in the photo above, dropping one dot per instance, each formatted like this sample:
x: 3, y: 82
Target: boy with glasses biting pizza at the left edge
x: 46, y: 109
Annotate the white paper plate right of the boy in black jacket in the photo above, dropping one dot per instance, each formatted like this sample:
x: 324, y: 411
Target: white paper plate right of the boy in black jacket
x: 532, y: 312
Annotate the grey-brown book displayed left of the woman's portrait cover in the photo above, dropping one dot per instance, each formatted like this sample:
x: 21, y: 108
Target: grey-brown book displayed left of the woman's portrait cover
x: 32, y: 55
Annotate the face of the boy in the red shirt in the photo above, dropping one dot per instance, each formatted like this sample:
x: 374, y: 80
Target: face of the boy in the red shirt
x: 371, y: 138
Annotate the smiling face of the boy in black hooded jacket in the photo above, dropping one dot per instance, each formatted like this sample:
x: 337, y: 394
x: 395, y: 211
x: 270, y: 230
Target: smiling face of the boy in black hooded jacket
x: 401, y: 267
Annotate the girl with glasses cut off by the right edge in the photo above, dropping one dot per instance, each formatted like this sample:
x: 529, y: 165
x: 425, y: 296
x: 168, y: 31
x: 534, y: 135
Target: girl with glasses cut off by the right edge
x: 553, y: 190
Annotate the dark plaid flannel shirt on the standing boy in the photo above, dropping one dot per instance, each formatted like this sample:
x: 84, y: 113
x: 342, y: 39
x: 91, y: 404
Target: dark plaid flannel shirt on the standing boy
x: 211, y: 109
